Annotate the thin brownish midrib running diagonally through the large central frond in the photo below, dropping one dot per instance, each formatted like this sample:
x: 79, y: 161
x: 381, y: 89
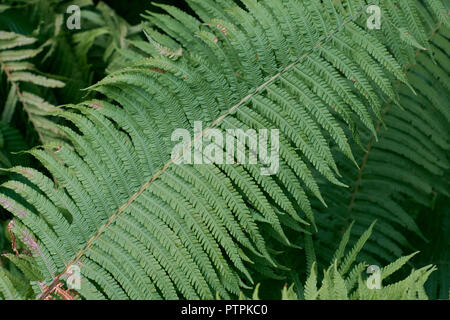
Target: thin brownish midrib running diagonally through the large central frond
x: 259, y: 89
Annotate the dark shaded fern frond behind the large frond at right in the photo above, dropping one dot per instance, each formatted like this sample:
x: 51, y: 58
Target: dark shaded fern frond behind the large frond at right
x: 406, y: 168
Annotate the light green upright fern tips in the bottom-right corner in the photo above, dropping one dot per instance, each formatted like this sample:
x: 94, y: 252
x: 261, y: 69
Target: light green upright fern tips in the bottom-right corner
x: 338, y: 284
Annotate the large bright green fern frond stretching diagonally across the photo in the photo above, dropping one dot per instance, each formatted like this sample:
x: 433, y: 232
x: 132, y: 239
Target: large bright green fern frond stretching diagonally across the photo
x: 142, y: 227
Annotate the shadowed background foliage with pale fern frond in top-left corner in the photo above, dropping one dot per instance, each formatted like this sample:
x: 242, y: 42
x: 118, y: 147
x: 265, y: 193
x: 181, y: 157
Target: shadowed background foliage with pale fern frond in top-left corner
x: 44, y: 43
